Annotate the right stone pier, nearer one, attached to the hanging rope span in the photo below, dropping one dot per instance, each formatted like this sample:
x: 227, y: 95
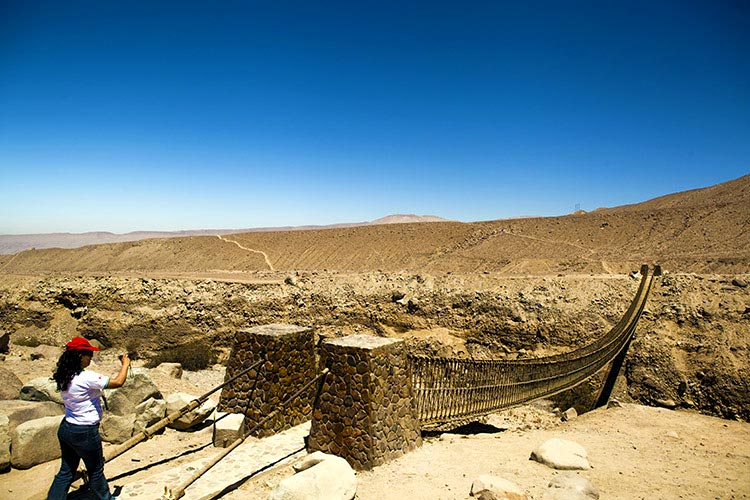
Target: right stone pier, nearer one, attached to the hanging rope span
x: 365, y: 411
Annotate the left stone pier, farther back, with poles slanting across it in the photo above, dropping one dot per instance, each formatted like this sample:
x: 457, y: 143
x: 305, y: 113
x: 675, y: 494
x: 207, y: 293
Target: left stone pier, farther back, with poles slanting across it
x: 288, y: 354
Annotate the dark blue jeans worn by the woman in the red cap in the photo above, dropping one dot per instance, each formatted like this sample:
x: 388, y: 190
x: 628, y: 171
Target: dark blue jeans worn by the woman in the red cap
x: 80, y: 442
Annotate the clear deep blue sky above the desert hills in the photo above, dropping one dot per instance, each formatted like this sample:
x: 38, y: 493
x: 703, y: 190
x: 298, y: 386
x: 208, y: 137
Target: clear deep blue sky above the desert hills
x: 123, y: 116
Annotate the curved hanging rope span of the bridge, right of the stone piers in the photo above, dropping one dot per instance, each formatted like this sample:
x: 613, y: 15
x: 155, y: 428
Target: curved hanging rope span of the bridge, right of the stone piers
x: 451, y: 390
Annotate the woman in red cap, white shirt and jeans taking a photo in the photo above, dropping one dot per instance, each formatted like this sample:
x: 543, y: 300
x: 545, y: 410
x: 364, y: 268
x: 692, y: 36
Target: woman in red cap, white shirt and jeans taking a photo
x: 79, y: 430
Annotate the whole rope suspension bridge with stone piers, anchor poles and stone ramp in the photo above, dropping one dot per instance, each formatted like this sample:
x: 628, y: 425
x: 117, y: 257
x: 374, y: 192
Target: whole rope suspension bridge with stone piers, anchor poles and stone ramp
x: 362, y: 387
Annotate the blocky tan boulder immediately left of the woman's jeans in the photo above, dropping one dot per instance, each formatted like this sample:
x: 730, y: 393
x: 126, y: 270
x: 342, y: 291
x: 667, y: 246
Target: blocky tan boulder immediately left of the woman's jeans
x: 35, y: 442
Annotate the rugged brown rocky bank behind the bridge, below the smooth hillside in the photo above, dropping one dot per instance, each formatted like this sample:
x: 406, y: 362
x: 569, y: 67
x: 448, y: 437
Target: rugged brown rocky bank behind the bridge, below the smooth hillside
x: 691, y: 345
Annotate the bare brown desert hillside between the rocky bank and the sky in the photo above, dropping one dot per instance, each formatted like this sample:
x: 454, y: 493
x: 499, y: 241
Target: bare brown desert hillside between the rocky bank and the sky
x: 702, y: 231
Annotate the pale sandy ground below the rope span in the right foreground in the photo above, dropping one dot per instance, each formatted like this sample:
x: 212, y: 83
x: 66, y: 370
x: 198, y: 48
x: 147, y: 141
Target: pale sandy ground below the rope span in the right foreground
x: 636, y: 452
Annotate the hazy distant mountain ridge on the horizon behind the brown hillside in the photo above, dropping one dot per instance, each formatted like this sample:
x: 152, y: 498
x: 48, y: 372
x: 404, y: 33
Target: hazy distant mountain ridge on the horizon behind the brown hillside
x: 14, y: 243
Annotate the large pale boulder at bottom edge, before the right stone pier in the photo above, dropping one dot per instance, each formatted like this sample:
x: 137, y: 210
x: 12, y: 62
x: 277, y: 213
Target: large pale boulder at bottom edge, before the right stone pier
x: 319, y: 477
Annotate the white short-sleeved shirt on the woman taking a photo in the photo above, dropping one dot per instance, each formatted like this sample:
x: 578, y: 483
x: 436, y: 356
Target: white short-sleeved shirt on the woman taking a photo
x: 82, y: 398
